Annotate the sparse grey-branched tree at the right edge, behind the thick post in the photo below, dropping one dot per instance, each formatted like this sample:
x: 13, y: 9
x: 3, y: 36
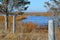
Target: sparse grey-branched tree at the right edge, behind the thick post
x: 54, y: 8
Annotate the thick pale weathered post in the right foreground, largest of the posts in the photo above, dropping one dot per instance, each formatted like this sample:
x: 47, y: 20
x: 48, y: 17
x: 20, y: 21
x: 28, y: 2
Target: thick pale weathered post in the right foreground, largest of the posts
x: 51, y: 30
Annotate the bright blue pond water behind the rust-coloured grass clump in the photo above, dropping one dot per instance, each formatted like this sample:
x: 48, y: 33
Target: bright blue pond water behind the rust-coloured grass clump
x: 37, y: 19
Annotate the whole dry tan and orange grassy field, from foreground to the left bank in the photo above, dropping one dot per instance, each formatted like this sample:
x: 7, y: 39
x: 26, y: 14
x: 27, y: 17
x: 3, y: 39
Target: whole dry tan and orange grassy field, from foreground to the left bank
x: 30, y: 30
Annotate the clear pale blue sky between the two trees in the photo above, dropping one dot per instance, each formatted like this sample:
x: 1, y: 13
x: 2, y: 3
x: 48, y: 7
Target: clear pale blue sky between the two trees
x: 37, y: 6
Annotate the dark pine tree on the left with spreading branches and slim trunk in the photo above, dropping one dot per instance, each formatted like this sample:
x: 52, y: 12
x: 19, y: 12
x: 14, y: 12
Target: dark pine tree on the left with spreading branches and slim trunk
x: 8, y: 6
